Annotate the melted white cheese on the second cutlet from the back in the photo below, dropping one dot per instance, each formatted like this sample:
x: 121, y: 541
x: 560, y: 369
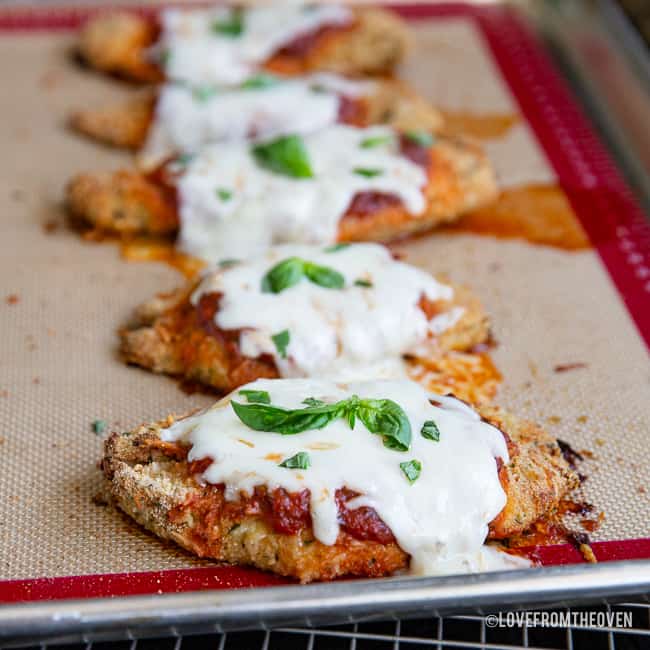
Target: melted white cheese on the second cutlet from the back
x: 184, y: 122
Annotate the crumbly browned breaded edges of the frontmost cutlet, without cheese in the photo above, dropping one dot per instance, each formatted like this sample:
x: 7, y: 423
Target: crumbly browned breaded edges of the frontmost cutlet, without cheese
x: 153, y: 489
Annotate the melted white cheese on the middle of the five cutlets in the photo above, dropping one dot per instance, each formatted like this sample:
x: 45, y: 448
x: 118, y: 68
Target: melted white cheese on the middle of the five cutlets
x: 268, y: 208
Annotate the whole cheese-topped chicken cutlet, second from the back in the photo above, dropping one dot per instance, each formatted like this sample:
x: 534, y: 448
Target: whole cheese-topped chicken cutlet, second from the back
x: 179, y: 118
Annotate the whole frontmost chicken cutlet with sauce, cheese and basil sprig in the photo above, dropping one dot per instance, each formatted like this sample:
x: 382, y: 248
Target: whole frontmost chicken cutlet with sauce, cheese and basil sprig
x: 314, y: 480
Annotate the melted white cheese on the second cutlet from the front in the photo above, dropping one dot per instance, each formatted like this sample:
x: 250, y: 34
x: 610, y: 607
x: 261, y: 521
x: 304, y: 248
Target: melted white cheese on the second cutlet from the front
x: 352, y: 332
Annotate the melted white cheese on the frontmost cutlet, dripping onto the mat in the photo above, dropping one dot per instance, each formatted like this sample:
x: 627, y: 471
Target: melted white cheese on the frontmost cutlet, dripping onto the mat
x: 441, y: 519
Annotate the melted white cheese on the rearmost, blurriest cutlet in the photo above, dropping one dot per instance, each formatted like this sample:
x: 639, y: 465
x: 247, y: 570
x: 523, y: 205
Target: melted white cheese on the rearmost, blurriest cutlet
x: 198, y: 52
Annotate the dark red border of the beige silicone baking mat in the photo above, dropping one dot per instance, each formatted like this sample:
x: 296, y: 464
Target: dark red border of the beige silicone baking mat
x: 600, y: 197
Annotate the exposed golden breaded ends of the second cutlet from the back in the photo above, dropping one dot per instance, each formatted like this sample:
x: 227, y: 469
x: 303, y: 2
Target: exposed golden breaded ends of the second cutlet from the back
x: 127, y: 124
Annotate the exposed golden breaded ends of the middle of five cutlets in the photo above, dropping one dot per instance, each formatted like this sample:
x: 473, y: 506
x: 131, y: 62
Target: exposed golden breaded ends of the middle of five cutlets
x: 127, y: 203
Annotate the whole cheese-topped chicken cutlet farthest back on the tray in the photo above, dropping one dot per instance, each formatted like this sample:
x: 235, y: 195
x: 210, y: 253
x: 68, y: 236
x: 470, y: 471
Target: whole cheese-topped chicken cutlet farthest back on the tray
x: 223, y: 44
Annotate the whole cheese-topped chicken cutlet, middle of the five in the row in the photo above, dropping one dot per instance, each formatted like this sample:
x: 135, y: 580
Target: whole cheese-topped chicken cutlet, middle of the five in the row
x: 341, y: 183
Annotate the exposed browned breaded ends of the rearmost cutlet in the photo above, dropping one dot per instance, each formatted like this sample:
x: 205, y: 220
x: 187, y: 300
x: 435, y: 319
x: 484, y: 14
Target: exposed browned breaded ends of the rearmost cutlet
x: 116, y: 43
